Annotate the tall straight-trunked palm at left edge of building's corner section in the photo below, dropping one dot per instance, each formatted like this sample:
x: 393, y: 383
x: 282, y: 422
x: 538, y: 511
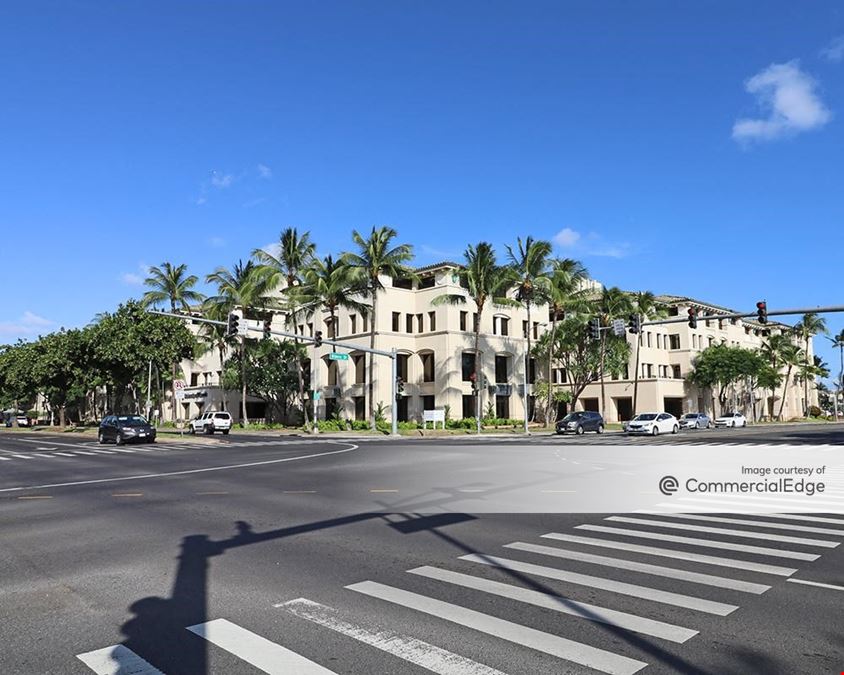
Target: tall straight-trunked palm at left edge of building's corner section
x: 376, y: 256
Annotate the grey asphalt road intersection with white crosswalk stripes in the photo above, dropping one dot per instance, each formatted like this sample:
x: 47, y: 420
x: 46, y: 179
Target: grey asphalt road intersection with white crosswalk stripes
x: 289, y: 555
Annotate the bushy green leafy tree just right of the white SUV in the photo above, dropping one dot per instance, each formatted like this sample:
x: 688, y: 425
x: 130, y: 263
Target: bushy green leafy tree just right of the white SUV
x: 270, y: 369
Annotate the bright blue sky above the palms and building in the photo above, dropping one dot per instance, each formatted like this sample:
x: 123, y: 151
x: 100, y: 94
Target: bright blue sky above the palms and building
x: 688, y: 148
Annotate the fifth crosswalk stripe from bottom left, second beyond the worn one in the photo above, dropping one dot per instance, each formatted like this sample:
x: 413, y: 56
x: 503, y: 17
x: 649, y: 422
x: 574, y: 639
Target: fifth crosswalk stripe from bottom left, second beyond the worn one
x: 559, y: 603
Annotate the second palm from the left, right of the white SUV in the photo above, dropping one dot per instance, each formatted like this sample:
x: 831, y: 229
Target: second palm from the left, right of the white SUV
x: 243, y: 286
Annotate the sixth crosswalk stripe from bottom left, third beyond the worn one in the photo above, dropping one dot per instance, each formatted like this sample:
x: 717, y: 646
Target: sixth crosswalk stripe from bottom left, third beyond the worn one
x: 633, y: 590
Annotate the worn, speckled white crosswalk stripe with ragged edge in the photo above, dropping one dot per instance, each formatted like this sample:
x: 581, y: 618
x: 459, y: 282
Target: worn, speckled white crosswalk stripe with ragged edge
x: 412, y: 650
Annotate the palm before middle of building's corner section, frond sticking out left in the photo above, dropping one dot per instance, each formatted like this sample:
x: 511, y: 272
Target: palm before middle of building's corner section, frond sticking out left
x: 485, y: 281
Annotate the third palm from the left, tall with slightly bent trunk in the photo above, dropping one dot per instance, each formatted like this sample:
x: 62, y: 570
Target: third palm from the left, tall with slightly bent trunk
x: 295, y: 253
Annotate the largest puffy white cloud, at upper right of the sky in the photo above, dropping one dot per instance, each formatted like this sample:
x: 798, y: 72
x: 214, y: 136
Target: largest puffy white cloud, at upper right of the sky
x: 788, y: 96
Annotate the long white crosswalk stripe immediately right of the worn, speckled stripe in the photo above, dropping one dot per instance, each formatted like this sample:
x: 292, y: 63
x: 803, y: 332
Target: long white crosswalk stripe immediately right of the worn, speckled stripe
x: 569, y: 650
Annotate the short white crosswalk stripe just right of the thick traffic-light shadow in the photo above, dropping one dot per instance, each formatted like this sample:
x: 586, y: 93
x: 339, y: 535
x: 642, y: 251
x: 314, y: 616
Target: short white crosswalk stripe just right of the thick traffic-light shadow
x: 257, y: 651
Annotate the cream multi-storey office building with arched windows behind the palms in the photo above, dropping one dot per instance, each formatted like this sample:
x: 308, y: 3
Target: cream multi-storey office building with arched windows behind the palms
x: 435, y: 347
